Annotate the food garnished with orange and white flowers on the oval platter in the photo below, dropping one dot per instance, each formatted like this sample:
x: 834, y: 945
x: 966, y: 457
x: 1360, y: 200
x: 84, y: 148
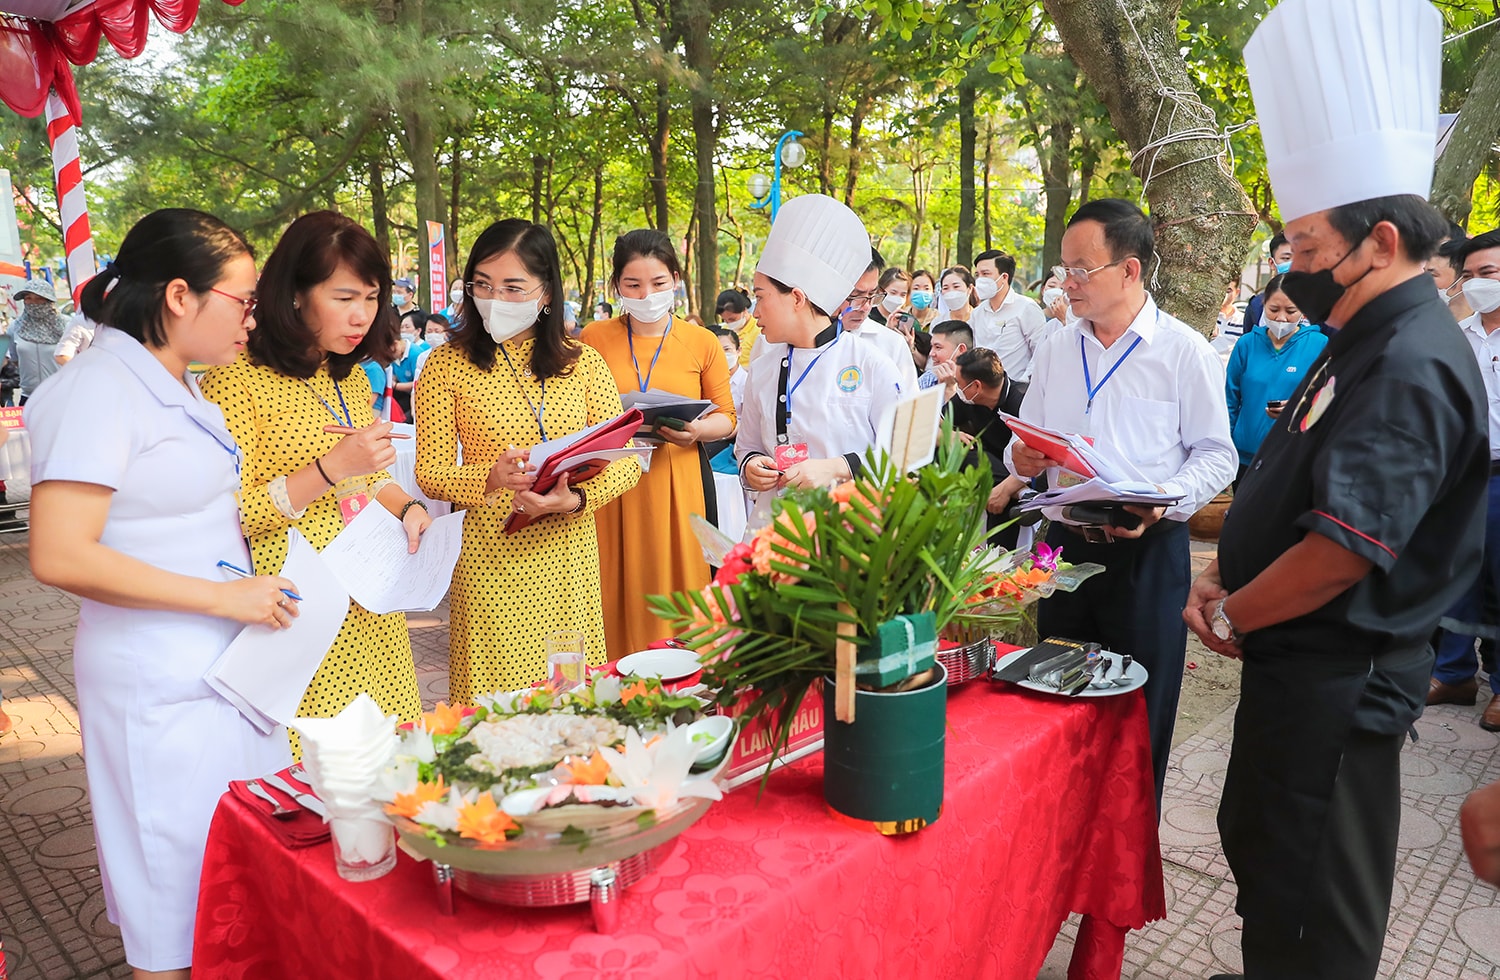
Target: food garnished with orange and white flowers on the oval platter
x: 482, y: 775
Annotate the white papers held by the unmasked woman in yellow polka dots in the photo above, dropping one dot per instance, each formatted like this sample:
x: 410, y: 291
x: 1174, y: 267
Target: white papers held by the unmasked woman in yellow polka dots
x: 370, y: 558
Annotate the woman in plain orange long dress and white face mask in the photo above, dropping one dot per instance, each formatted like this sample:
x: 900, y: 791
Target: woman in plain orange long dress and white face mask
x: 646, y: 540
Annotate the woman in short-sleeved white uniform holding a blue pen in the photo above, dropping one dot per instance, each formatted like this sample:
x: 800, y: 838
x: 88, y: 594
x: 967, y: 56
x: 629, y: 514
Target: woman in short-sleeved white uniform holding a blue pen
x: 133, y: 508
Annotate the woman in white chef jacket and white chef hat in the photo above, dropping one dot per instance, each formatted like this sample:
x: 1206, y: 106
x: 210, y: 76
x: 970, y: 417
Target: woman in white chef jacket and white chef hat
x: 815, y: 398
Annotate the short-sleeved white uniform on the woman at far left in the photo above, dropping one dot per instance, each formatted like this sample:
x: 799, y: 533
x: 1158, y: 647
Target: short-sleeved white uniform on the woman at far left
x: 160, y: 744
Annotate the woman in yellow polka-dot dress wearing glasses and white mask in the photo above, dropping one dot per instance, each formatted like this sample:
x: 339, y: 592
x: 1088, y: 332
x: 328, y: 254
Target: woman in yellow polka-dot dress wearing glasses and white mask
x: 511, y: 380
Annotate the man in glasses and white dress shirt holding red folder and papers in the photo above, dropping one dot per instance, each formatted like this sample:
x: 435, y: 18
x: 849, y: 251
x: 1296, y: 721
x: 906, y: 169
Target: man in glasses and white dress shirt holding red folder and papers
x: 1148, y: 386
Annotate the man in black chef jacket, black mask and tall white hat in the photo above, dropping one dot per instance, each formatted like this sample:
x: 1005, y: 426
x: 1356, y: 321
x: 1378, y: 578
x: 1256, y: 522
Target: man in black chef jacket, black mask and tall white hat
x: 1360, y: 522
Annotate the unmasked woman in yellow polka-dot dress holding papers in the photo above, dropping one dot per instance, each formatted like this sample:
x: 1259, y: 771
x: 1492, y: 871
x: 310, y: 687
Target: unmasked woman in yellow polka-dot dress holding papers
x: 301, y: 409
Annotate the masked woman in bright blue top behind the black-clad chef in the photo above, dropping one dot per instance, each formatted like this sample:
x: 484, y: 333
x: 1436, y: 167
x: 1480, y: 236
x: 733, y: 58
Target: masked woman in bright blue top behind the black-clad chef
x: 1265, y: 368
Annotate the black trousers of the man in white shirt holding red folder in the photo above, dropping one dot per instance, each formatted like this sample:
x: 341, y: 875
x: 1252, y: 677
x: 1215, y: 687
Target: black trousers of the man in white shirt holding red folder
x: 1133, y: 607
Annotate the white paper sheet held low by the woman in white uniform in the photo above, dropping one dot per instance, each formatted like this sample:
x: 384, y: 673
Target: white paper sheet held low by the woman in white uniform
x: 266, y: 672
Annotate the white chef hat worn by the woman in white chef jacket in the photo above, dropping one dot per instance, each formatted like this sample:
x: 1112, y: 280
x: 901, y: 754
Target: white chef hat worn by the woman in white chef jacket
x: 820, y: 247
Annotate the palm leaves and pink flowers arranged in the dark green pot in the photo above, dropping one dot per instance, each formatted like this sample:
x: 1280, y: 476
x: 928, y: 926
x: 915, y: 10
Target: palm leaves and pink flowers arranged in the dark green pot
x: 838, y: 564
